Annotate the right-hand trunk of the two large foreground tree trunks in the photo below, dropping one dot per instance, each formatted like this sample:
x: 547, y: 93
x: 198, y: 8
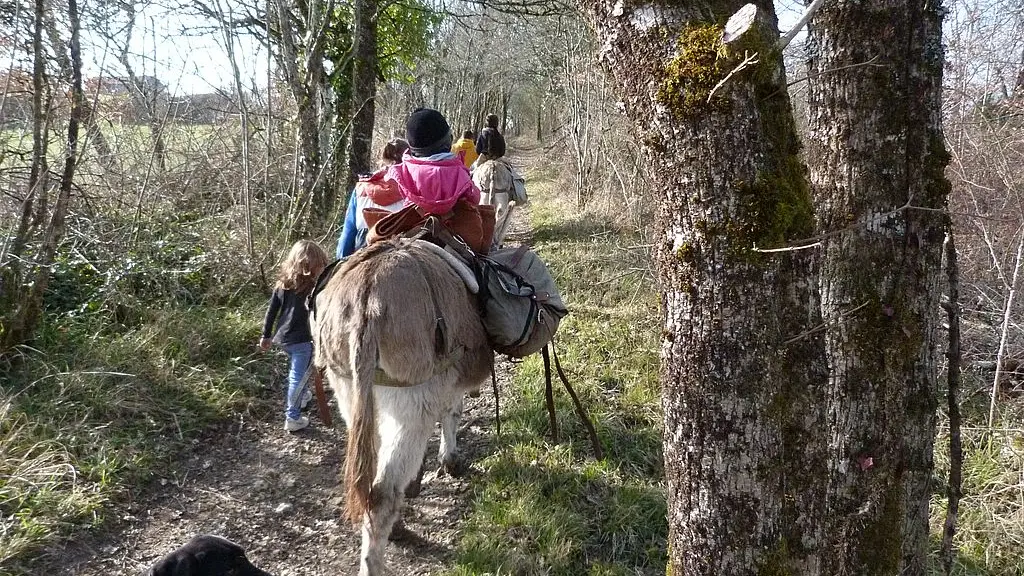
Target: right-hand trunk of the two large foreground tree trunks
x: 877, y: 154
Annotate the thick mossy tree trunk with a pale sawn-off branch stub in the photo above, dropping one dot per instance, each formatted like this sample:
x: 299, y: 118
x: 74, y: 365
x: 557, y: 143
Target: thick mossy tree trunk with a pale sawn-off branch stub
x: 743, y: 369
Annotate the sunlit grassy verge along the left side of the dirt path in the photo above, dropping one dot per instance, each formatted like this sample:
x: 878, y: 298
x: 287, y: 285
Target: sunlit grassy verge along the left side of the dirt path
x: 90, y: 415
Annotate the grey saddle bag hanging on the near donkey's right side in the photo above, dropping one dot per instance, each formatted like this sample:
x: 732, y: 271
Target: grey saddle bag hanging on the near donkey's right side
x: 521, y: 306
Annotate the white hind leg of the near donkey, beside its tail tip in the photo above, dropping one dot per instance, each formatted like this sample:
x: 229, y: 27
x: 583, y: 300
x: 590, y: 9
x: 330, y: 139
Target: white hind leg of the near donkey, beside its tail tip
x: 403, y: 447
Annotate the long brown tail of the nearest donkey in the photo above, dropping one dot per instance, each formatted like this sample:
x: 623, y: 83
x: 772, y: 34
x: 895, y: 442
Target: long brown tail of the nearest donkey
x: 361, y: 458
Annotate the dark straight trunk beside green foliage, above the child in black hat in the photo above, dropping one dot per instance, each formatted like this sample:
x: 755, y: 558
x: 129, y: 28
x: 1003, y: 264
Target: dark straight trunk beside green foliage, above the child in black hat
x: 364, y: 91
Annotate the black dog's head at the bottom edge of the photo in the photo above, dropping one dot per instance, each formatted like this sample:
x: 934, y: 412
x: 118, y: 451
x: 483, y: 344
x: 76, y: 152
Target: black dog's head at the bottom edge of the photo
x: 206, y: 556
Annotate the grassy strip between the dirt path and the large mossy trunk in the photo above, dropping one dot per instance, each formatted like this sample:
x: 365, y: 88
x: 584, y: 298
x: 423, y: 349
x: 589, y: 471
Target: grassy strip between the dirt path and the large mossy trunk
x: 549, y: 509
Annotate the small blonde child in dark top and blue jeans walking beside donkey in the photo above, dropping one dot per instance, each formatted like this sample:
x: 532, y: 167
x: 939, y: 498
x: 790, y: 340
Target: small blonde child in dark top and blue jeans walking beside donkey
x: 296, y: 277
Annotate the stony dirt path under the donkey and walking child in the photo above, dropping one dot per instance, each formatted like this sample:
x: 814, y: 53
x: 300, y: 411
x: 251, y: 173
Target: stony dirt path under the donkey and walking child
x: 279, y: 497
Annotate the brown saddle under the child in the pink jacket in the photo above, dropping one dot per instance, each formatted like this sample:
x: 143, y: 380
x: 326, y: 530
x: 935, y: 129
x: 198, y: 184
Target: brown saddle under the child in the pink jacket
x: 474, y: 224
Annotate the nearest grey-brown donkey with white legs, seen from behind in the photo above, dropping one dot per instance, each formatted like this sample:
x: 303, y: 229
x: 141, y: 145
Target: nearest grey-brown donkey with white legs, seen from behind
x: 400, y: 336
